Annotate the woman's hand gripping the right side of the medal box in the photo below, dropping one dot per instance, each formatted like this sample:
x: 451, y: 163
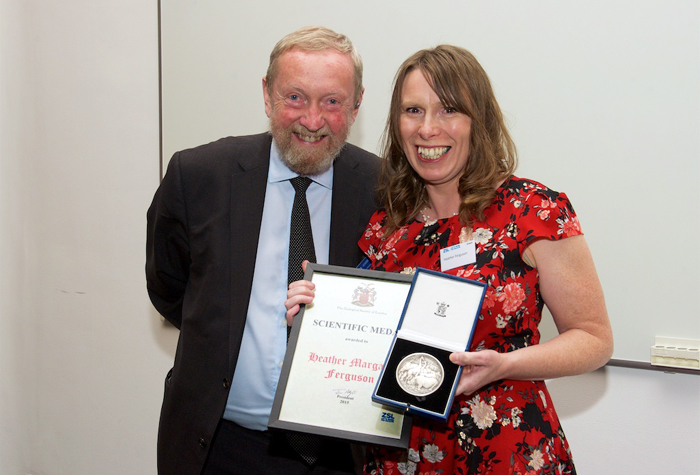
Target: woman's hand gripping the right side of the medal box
x: 479, y: 369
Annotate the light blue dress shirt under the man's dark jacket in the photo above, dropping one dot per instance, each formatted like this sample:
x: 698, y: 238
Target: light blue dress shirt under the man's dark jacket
x: 265, y: 336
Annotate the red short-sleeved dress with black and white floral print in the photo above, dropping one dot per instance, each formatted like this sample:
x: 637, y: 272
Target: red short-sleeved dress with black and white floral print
x: 507, y: 427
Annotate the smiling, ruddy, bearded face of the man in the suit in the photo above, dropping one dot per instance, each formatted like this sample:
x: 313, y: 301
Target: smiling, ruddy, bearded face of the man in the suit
x: 311, y: 107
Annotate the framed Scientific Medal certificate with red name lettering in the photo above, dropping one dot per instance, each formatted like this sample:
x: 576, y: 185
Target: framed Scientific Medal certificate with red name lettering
x: 336, y: 351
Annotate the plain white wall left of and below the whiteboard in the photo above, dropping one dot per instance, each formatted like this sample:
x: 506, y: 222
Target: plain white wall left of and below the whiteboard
x: 82, y: 354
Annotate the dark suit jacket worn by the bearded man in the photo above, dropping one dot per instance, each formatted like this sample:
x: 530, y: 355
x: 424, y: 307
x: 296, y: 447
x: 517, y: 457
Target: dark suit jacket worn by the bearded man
x: 203, y: 228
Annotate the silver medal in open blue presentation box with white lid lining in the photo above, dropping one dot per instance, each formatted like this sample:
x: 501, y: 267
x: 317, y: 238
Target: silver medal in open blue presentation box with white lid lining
x: 438, y: 318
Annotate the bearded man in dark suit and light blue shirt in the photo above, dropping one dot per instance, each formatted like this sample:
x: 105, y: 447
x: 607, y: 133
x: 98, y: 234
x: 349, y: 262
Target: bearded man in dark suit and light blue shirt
x: 217, y: 256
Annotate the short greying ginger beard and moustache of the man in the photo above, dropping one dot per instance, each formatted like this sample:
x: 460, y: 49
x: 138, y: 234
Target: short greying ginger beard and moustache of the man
x: 307, y: 162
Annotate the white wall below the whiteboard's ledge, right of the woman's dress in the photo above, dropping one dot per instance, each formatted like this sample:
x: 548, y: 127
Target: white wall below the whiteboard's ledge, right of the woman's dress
x: 629, y: 421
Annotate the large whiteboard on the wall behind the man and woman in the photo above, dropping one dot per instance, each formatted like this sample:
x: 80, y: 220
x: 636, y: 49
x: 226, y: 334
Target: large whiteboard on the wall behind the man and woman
x: 602, y: 99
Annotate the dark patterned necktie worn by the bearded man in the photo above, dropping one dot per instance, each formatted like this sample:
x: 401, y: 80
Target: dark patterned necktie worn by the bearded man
x: 301, y: 247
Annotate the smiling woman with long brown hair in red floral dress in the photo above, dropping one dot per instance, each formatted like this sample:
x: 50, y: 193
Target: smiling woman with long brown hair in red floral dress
x: 447, y: 178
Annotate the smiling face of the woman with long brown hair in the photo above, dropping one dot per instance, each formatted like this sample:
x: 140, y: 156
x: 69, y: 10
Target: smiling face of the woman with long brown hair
x: 434, y: 138
